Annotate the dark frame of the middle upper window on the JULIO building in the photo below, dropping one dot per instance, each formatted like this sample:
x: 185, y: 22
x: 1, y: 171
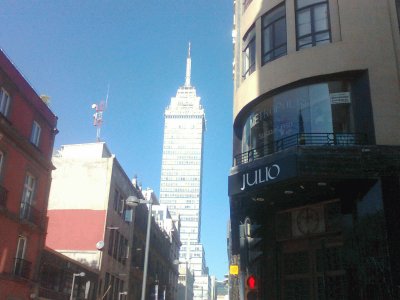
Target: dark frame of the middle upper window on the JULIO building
x: 273, y: 32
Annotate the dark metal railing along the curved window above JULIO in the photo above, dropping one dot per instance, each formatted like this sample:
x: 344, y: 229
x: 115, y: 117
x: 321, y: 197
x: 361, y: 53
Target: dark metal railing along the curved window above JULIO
x: 301, y: 139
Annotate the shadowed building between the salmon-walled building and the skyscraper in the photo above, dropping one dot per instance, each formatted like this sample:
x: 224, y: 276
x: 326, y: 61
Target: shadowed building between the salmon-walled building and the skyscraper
x: 162, y: 275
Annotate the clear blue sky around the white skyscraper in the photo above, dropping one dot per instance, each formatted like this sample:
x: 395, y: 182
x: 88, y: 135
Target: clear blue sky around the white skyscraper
x: 72, y: 50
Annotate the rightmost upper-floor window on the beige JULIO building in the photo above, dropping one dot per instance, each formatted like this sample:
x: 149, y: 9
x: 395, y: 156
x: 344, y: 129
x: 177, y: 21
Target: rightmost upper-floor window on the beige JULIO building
x: 312, y: 23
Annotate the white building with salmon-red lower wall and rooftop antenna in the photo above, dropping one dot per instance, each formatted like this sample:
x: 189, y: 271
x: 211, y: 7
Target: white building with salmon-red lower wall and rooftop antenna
x: 88, y: 219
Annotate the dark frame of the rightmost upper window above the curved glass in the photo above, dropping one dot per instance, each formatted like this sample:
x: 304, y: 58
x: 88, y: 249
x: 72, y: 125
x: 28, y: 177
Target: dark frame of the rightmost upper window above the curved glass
x: 311, y: 8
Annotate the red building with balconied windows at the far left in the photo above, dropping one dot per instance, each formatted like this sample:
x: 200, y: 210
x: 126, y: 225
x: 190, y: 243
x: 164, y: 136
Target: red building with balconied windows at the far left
x: 27, y: 132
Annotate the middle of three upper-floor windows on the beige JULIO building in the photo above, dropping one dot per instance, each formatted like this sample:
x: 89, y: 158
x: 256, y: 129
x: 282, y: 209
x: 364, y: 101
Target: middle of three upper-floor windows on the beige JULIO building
x: 274, y: 34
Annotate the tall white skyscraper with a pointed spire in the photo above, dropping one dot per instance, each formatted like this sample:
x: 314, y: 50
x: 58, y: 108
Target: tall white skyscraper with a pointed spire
x: 181, y: 170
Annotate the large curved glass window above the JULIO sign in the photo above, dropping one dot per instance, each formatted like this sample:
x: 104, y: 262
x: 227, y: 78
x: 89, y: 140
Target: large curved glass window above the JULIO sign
x: 321, y: 108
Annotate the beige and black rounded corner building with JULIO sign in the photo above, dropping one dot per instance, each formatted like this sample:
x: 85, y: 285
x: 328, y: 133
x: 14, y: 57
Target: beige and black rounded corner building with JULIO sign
x: 316, y: 154
